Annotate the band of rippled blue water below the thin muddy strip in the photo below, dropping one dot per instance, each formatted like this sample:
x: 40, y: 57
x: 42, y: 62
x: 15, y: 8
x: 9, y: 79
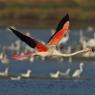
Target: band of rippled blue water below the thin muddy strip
x: 47, y: 87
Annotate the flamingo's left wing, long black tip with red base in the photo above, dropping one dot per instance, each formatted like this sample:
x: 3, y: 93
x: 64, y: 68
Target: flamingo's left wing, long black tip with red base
x: 29, y: 40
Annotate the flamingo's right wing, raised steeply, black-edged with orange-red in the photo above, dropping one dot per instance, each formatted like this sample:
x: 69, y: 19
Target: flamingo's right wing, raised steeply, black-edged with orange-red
x: 61, y: 30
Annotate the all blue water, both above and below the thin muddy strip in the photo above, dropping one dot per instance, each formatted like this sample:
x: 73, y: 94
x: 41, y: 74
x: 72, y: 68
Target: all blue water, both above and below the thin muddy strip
x: 43, y: 68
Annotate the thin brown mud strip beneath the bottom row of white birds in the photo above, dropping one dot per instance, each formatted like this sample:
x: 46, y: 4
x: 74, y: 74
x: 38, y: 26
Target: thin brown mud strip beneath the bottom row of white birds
x: 44, y: 78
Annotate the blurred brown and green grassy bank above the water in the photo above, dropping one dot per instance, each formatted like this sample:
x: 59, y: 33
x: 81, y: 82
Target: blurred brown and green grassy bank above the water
x: 46, y: 13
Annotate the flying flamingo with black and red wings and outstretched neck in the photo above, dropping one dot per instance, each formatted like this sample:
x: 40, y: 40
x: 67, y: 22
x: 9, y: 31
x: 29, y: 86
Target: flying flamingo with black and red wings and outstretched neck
x: 49, y: 49
